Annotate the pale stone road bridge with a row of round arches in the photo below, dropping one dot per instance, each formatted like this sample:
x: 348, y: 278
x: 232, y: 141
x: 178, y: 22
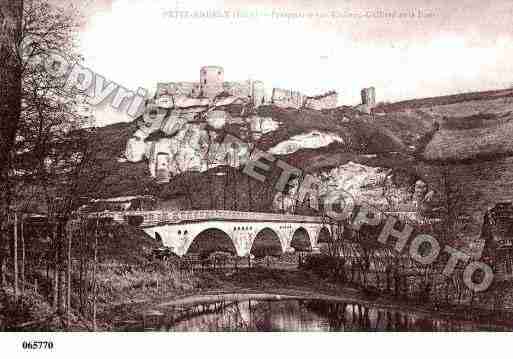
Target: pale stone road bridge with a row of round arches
x: 230, y: 231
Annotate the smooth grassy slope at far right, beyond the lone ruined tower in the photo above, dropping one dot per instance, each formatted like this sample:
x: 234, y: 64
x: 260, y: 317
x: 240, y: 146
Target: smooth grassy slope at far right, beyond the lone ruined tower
x: 478, y: 127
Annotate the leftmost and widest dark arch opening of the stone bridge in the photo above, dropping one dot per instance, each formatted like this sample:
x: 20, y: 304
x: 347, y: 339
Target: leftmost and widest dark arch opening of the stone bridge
x: 211, y: 240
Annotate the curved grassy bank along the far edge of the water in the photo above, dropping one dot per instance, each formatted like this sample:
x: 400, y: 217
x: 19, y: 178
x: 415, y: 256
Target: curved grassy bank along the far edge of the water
x: 275, y: 284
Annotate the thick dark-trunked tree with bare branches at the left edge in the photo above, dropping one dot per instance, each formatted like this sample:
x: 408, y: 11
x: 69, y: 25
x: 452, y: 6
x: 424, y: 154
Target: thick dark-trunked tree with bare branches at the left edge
x: 28, y: 95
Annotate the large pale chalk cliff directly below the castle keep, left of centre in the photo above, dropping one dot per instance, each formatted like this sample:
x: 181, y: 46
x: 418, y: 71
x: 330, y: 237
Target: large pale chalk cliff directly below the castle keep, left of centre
x: 172, y: 143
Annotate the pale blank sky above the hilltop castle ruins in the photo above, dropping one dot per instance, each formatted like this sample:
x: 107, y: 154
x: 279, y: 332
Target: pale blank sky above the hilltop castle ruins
x: 405, y: 49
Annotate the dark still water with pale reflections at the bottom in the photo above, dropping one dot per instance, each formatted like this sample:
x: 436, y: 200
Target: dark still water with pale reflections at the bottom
x: 298, y: 315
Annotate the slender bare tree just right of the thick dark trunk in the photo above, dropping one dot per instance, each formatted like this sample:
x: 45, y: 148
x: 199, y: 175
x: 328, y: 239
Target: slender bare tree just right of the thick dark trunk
x: 49, y: 151
